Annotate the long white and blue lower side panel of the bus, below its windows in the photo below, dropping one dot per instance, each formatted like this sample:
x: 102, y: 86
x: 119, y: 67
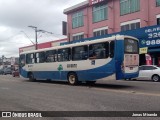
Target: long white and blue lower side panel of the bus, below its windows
x: 88, y: 73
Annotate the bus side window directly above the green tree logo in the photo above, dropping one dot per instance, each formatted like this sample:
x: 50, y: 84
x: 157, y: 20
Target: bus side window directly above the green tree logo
x: 64, y: 54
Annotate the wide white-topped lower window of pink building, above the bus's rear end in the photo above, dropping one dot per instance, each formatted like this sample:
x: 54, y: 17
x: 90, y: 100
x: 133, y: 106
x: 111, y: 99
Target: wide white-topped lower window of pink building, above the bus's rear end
x: 131, y: 25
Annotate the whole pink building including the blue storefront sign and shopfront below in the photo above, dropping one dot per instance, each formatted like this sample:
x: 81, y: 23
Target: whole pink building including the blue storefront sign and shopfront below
x: 139, y: 18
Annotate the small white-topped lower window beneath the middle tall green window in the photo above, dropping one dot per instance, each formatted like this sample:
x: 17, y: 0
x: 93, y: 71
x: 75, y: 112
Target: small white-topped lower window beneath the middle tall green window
x: 100, y: 32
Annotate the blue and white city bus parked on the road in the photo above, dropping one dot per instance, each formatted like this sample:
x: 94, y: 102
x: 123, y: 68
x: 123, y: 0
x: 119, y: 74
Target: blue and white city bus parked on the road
x: 88, y: 61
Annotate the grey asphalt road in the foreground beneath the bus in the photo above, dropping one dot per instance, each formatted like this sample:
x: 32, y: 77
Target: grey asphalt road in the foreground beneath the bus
x: 18, y: 94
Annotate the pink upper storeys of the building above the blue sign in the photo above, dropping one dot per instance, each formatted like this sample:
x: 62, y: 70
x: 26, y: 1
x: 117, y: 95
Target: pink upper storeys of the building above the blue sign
x: 98, y: 17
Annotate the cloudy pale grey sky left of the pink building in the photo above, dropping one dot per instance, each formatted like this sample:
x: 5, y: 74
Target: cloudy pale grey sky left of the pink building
x: 17, y: 15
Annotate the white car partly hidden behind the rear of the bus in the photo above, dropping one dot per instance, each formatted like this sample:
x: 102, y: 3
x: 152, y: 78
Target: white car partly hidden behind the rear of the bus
x: 149, y: 72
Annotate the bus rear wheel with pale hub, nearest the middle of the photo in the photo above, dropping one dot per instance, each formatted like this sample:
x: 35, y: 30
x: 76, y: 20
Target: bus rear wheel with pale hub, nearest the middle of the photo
x: 72, y: 78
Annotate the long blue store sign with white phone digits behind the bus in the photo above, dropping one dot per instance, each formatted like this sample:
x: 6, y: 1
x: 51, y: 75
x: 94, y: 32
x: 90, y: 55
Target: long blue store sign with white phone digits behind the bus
x: 148, y: 36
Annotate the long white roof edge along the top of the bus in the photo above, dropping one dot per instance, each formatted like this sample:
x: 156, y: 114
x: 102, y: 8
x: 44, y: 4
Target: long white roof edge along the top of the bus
x: 117, y: 37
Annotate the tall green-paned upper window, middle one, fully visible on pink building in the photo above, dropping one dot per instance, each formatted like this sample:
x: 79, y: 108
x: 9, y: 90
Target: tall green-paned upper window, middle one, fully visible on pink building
x: 100, y: 12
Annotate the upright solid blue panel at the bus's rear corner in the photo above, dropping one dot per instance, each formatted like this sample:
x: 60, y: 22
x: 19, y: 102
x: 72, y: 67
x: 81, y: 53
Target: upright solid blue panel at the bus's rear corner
x: 119, y: 58
